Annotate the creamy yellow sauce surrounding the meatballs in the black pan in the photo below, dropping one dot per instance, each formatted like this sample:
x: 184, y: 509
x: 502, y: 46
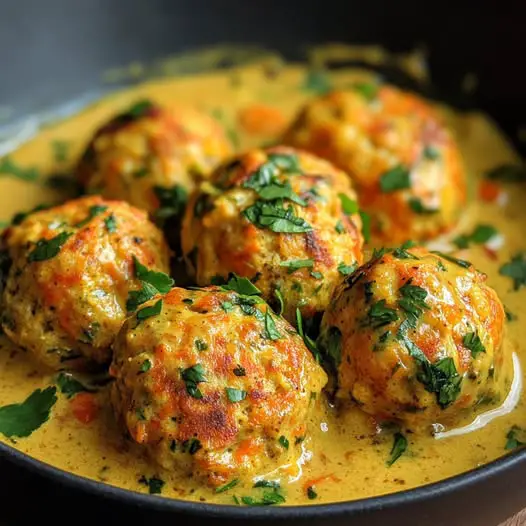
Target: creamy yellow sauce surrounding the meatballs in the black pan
x: 344, y: 449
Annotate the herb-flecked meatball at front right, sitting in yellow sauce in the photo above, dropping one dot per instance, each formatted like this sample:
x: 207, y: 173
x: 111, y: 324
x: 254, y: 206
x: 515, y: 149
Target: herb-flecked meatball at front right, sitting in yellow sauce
x: 415, y: 337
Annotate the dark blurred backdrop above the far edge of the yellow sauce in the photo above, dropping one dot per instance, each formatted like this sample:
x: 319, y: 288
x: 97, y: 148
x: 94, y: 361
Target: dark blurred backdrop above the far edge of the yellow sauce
x: 56, y: 49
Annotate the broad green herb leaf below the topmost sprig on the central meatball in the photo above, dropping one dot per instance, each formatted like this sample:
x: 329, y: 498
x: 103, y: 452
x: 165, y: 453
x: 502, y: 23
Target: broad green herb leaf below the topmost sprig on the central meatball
x: 275, y: 217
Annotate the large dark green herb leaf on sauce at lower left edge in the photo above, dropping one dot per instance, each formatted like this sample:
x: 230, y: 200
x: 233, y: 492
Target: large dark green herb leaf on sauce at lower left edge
x: 20, y: 420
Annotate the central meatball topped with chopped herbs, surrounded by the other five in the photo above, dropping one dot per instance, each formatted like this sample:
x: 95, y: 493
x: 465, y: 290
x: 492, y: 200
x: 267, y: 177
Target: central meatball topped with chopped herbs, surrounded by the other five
x: 281, y: 217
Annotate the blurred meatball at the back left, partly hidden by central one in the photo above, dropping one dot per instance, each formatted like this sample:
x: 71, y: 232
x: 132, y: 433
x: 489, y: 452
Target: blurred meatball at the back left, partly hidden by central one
x: 151, y: 156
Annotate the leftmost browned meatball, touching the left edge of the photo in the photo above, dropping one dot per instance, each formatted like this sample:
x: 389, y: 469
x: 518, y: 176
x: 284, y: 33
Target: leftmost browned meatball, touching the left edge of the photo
x: 75, y: 271
